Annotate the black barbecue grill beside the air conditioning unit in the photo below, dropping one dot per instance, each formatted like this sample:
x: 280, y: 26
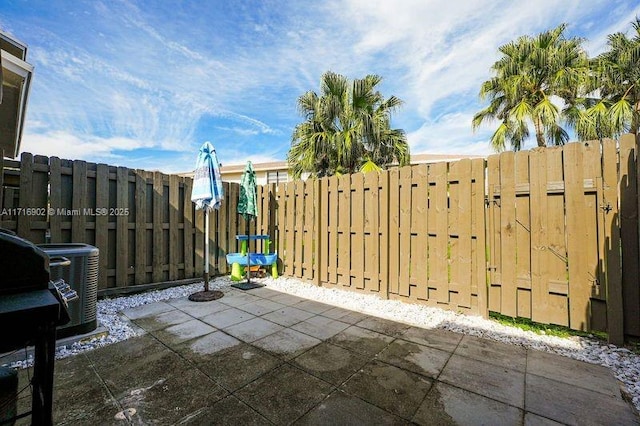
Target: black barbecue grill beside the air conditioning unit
x: 31, y: 307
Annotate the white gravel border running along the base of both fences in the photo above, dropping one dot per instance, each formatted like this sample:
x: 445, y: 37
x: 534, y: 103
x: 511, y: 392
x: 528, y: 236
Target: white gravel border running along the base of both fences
x: 624, y: 363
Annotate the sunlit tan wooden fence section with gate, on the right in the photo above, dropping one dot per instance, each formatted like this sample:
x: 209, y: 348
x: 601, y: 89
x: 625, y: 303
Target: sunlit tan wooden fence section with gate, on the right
x: 549, y: 234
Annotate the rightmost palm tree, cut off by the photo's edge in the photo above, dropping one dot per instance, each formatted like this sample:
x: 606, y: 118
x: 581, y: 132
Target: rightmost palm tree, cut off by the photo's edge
x: 615, y: 81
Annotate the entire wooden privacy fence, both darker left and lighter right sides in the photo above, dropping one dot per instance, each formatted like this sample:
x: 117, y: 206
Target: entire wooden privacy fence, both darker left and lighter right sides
x: 548, y: 234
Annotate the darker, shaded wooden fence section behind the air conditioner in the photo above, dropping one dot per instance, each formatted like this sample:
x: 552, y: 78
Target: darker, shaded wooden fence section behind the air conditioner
x: 143, y: 223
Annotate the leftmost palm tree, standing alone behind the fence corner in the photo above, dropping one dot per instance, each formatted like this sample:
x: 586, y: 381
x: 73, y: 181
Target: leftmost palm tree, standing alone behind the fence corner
x: 345, y: 126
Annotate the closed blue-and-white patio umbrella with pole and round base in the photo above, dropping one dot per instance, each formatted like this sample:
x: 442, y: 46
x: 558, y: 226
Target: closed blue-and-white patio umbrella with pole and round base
x: 207, y: 194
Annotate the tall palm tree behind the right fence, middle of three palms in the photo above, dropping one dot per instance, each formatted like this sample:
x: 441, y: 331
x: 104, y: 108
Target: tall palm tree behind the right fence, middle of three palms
x: 531, y: 73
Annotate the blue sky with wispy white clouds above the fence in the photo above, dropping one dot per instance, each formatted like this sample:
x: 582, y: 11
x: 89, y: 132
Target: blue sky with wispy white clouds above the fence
x: 143, y: 84
